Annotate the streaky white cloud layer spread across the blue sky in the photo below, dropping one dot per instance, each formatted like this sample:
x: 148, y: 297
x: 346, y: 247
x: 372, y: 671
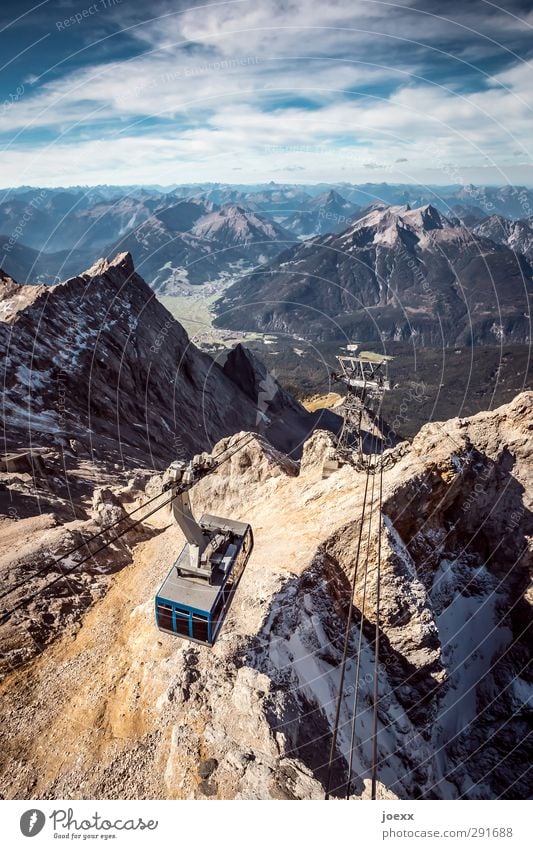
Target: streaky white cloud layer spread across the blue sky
x: 215, y: 79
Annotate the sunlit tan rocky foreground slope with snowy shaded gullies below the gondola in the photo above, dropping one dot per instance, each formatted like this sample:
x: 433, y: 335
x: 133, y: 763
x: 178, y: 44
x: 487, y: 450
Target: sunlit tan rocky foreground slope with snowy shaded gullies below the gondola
x: 116, y: 709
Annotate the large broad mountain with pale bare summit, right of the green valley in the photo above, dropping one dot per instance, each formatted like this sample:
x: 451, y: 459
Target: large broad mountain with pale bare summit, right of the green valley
x: 394, y: 275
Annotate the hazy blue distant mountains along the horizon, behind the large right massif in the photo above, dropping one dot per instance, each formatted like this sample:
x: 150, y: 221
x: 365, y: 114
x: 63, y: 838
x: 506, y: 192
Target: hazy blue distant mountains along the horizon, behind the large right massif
x: 70, y: 227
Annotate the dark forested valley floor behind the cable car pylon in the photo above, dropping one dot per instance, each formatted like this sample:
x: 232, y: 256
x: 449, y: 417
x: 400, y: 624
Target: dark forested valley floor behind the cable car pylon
x: 428, y: 384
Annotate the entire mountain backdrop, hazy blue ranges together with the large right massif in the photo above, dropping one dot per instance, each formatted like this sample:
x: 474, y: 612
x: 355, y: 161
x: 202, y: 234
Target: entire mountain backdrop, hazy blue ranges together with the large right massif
x: 325, y: 264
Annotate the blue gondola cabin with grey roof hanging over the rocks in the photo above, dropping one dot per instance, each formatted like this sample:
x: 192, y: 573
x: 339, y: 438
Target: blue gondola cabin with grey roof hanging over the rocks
x: 194, y: 605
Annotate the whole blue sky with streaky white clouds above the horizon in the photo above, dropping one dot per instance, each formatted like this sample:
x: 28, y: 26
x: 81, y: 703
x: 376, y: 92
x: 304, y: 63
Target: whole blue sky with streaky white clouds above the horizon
x: 245, y: 91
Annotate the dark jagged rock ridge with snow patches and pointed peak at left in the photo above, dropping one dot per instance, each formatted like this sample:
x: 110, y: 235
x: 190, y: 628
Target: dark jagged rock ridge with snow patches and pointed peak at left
x: 99, y: 360
